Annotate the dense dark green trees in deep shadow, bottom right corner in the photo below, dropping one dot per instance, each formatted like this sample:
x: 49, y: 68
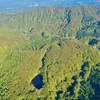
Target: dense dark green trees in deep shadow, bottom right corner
x: 90, y: 88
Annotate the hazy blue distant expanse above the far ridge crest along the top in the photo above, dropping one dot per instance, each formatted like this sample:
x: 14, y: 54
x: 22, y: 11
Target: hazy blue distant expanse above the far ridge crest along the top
x: 15, y: 6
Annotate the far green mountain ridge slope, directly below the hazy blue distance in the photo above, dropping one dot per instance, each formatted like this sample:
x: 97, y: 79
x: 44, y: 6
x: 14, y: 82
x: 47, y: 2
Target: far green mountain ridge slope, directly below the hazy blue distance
x: 77, y: 22
